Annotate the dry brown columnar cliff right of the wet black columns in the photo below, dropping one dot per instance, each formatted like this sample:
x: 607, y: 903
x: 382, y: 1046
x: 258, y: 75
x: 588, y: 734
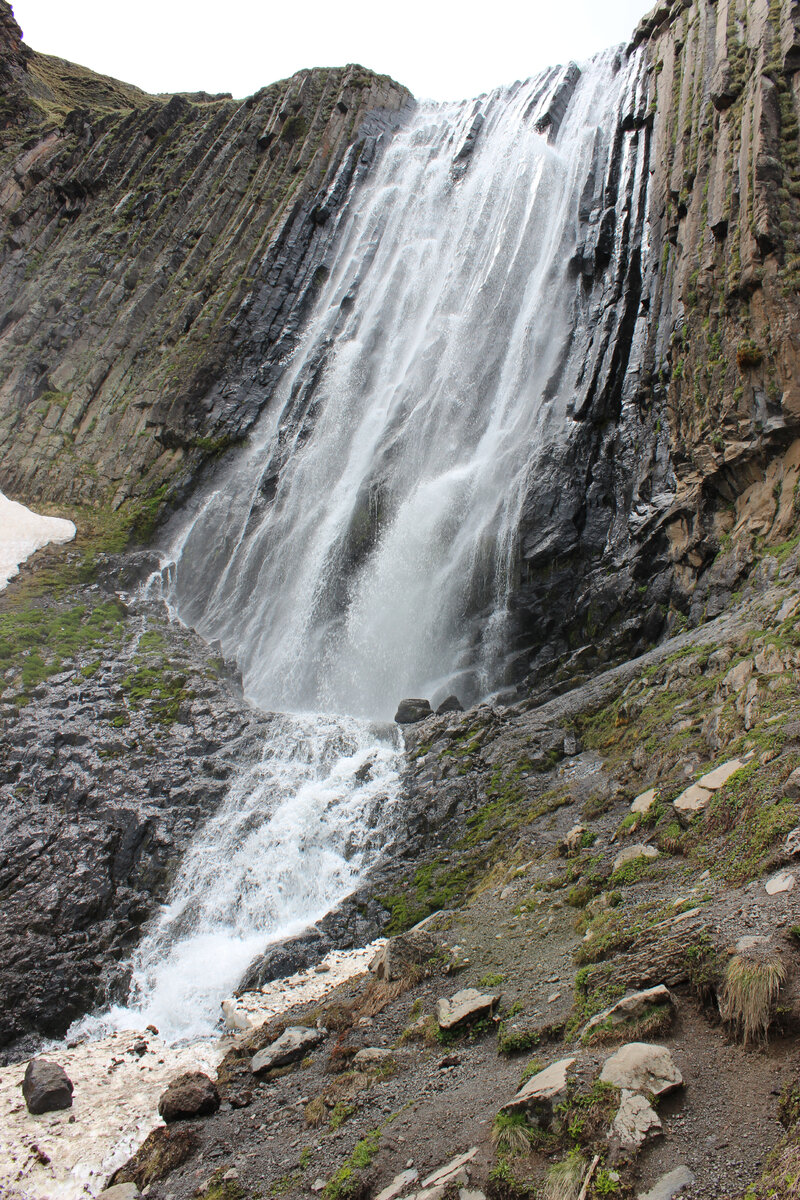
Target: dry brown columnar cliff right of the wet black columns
x: 726, y: 214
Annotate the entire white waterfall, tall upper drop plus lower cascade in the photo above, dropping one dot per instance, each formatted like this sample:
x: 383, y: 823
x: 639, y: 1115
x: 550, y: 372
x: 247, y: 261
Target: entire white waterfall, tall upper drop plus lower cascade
x: 363, y: 547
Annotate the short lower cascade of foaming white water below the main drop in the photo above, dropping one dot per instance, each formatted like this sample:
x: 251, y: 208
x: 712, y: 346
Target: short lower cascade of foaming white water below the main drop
x: 293, y: 838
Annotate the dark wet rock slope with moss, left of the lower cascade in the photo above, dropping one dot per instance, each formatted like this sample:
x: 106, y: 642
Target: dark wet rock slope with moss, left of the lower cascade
x: 106, y: 772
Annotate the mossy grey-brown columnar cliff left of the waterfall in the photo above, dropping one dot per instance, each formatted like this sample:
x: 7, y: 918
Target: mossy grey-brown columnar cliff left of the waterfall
x: 147, y: 239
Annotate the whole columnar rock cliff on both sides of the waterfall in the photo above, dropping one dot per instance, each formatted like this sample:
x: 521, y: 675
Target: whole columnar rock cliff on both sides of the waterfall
x: 160, y: 255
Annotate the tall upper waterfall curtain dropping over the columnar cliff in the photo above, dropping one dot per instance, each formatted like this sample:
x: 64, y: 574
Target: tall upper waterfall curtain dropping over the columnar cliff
x: 363, y: 548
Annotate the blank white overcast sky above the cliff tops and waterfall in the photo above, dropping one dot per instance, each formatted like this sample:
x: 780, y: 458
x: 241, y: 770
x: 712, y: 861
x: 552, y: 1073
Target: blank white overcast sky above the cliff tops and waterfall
x: 443, y: 50
